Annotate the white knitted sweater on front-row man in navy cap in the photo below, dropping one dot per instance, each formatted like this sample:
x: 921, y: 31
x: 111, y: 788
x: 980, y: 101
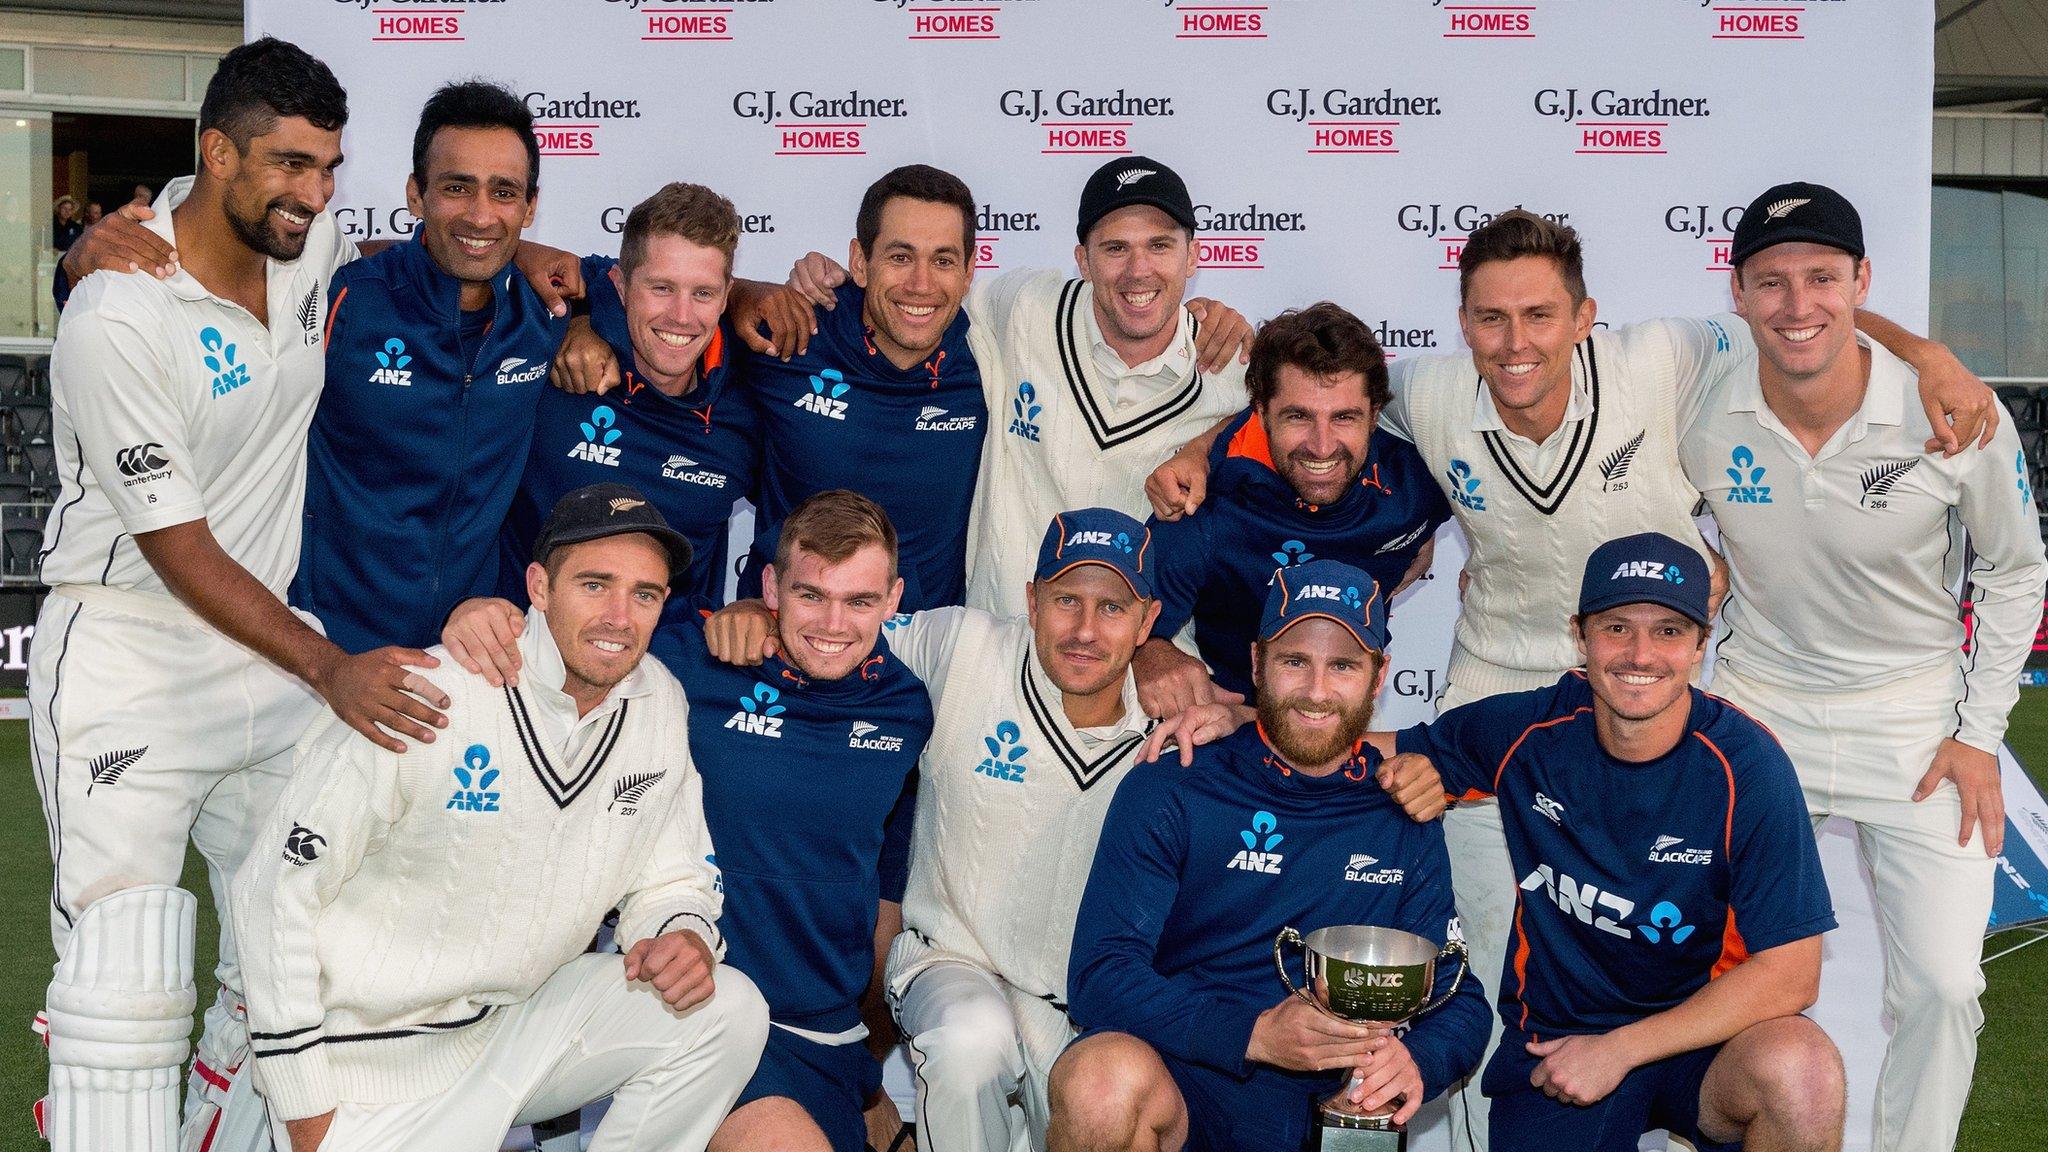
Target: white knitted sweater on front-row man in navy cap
x: 1011, y: 800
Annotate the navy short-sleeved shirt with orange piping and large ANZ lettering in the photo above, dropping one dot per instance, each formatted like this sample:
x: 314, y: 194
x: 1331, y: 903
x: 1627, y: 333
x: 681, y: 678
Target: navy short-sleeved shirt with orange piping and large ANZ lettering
x: 1637, y: 882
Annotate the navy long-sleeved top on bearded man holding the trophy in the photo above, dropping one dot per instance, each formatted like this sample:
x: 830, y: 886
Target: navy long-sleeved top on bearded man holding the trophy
x: 1201, y: 868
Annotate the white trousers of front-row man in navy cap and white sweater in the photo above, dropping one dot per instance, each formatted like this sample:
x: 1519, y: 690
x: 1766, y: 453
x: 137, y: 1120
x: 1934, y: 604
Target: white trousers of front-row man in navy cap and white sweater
x: 982, y: 1053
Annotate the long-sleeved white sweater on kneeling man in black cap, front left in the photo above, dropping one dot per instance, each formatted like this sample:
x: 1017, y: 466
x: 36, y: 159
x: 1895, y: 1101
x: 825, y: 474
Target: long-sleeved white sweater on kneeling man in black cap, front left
x: 396, y: 901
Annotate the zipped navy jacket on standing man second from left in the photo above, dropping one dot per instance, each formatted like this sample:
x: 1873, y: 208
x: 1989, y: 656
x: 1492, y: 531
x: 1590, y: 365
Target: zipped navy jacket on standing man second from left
x: 415, y: 452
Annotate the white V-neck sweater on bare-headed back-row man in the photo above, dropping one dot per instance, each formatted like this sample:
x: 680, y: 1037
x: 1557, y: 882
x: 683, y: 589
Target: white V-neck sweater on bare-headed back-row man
x: 1533, y: 516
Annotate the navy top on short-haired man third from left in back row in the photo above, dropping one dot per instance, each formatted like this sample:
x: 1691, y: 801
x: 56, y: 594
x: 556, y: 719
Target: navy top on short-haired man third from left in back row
x: 693, y: 458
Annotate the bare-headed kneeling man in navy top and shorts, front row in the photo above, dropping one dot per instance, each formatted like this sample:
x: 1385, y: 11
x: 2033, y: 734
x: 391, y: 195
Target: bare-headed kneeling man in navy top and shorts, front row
x: 802, y: 762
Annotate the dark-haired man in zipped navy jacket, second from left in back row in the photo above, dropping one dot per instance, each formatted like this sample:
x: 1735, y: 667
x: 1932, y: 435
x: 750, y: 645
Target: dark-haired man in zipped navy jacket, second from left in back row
x: 437, y: 360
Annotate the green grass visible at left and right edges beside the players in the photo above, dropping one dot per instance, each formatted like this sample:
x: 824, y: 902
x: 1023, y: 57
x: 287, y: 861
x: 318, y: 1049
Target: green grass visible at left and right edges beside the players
x: 2008, y: 1110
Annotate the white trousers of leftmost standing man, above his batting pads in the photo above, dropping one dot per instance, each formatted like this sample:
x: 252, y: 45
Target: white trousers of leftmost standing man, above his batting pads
x: 148, y: 729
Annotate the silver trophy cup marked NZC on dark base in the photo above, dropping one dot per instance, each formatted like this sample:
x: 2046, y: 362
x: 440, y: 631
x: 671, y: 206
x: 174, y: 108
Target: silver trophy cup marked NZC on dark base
x: 1361, y: 975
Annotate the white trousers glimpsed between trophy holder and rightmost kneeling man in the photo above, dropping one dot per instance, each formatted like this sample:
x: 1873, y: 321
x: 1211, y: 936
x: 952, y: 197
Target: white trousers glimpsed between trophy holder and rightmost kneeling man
x: 1484, y: 884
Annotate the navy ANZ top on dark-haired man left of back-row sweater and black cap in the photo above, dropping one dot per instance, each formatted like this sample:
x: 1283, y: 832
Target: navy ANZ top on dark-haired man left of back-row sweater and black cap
x: 910, y: 440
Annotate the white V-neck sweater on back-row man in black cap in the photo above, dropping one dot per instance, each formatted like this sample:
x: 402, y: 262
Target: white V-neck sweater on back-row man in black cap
x: 1062, y: 434
